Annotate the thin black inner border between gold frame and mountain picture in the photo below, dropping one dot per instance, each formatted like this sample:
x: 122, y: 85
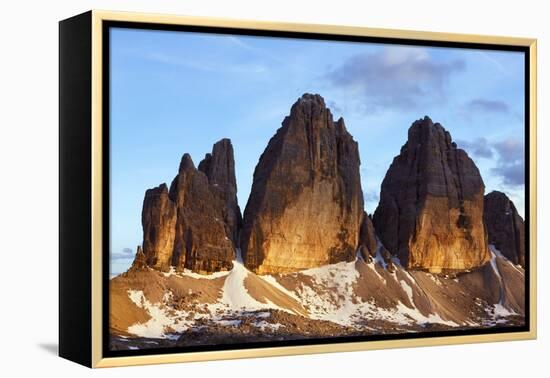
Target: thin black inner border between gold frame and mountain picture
x: 107, y: 25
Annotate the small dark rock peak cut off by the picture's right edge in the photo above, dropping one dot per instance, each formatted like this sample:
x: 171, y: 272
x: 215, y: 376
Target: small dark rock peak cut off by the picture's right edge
x: 505, y: 227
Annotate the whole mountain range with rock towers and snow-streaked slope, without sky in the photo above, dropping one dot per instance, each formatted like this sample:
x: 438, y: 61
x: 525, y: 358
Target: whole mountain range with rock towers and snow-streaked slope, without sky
x: 315, y: 264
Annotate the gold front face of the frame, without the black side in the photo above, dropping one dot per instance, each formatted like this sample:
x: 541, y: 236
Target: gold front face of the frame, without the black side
x: 98, y: 16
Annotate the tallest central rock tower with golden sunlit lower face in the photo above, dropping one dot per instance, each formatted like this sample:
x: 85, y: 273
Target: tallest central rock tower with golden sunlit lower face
x: 306, y: 202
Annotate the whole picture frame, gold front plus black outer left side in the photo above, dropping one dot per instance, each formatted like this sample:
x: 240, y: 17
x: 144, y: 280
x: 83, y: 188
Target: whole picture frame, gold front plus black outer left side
x: 86, y: 33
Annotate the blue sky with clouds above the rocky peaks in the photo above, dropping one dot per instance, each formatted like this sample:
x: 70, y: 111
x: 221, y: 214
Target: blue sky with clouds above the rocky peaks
x: 177, y: 92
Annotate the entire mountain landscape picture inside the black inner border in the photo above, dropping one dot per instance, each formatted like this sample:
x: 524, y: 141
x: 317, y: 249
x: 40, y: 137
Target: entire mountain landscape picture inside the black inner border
x: 270, y: 189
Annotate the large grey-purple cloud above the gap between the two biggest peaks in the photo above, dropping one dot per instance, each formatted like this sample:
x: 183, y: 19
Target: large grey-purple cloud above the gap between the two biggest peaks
x: 396, y: 77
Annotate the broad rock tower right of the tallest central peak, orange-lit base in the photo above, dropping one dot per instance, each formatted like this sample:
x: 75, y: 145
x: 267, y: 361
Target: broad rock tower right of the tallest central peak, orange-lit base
x: 430, y: 213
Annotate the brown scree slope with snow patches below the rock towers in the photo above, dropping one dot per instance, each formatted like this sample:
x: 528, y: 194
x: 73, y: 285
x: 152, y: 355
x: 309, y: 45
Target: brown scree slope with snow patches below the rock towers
x: 352, y: 296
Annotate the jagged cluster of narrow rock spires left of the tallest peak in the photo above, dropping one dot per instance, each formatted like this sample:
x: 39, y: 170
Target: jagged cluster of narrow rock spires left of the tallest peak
x: 195, y: 224
